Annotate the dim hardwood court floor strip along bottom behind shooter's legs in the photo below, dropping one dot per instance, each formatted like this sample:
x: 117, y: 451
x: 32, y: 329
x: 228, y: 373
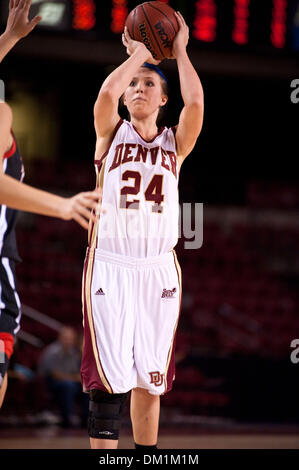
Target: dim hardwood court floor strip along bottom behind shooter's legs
x: 59, y: 439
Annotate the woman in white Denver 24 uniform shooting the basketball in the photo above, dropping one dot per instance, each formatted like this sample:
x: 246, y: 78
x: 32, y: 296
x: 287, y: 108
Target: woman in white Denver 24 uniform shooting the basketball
x: 132, y: 282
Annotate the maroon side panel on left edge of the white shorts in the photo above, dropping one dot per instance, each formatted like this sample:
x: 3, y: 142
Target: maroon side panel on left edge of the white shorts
x: 89, y: 371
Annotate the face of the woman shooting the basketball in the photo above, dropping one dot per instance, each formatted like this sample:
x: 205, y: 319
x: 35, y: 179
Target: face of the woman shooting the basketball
x: 144, y: 95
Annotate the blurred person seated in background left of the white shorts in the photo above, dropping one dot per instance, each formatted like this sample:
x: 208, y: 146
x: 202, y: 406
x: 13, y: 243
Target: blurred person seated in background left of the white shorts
x: 60, y: 366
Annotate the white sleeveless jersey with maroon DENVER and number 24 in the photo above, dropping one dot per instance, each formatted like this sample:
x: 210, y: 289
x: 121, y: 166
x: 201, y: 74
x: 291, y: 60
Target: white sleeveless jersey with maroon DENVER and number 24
x: 139, y: 180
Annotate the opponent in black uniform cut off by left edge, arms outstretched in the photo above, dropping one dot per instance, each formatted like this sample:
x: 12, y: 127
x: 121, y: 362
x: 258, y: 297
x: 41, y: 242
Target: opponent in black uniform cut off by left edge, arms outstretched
x: 15, y: 195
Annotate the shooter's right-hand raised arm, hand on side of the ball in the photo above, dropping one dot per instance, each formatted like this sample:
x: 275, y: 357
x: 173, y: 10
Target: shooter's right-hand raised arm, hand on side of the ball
x: 191, y: 117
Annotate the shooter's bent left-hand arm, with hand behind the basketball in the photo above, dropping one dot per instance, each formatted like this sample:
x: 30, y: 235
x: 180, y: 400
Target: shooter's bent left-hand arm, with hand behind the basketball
x: 106, y: 107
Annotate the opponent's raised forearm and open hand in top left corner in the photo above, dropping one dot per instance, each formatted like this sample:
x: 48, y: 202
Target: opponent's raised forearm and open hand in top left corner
x: 18, y: 26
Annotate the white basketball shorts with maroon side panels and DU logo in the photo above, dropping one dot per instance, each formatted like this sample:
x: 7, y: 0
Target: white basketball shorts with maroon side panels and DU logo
x: 131, y: 308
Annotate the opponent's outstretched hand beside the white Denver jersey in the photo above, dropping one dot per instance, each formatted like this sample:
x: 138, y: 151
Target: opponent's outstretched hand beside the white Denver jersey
x: 82, y: 207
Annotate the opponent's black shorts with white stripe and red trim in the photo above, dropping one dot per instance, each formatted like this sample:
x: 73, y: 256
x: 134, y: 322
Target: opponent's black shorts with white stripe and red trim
x: 10, y: 313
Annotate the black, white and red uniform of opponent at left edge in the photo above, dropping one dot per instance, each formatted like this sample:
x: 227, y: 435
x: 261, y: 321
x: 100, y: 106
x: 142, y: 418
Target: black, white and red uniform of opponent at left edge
x: 10, y: 307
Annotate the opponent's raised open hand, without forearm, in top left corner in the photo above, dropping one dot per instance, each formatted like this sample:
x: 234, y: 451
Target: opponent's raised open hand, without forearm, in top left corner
x: 18, y: 24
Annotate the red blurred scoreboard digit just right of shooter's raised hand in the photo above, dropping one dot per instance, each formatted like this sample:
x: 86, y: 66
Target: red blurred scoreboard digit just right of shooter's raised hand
x: 205, y: 22
